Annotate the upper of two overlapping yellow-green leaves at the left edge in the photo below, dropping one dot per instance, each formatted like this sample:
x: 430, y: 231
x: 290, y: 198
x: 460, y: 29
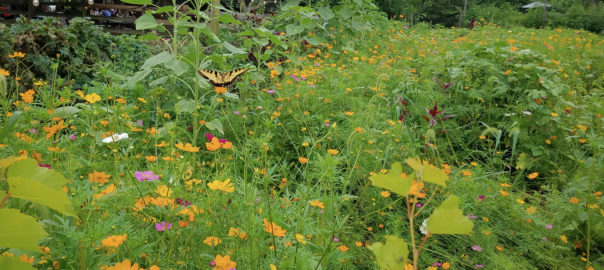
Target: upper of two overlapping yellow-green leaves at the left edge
x: 29, y: 169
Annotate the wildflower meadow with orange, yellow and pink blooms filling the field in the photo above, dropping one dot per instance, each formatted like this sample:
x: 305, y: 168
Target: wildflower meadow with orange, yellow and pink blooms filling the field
x: 386, y: 147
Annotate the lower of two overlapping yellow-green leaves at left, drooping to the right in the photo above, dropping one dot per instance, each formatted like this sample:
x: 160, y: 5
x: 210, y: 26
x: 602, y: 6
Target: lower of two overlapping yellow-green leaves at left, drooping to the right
x: 28, y: 189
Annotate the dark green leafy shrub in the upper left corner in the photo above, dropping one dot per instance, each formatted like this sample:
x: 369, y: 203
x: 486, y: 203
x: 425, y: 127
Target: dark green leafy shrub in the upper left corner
x: 81, y: 45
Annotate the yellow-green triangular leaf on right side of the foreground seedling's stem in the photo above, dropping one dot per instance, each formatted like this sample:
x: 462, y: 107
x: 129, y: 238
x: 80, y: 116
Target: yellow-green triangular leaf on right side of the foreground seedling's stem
x: 449, y: 219
